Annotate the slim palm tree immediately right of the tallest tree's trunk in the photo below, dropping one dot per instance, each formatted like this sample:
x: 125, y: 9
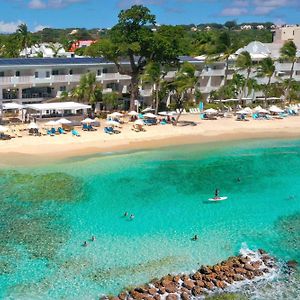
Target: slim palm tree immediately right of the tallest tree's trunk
x: 154, y: 75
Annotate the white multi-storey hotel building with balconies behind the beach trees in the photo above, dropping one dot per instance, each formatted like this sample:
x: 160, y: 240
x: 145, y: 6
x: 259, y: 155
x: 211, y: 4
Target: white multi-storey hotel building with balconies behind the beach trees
x: 34, y: 80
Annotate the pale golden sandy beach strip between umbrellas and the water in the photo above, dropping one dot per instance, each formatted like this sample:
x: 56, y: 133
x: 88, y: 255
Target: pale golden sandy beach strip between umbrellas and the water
x: 31, y: 149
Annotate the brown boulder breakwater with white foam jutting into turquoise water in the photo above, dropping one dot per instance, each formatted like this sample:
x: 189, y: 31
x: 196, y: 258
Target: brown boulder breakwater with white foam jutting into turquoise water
x: 244, y: 267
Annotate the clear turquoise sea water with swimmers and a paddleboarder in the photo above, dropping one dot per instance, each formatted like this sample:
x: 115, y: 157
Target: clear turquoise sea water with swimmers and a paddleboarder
x: 48, y: 212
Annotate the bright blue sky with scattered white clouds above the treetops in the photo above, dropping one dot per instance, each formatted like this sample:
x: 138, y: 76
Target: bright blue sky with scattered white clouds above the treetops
x: 38, y: 14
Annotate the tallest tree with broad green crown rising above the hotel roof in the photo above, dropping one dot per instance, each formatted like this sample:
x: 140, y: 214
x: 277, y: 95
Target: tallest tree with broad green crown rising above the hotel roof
x: 133, y: 39
